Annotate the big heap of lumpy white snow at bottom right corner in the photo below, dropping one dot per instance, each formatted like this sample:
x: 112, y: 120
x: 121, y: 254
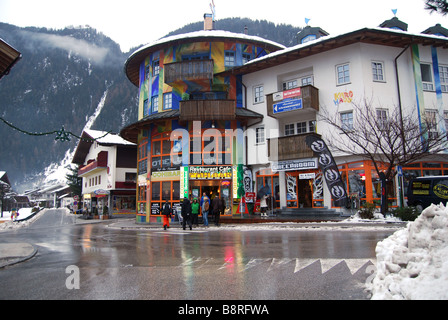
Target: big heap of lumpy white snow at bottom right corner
x: 413, y: 262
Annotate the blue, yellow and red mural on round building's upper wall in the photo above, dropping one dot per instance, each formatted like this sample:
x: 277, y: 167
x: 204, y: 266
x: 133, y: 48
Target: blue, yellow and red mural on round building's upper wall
x: 157, y: 96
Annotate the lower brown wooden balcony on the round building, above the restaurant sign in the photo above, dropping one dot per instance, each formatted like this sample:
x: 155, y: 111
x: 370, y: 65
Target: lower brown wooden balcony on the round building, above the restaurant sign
x: 191, y: 110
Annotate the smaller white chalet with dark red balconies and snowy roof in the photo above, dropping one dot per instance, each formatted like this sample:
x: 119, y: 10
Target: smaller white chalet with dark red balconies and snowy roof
x: 108, y: 170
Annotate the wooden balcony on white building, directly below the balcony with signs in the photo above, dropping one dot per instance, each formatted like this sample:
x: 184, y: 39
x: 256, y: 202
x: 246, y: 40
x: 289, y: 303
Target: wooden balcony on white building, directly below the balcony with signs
x: 289, y: 148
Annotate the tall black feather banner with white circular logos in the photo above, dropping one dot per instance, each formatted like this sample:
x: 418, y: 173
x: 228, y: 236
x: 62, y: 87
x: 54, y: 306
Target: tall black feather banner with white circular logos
x: 329, y: 169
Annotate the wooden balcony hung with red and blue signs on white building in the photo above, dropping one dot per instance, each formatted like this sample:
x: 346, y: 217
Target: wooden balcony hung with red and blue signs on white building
x: 309, y: 104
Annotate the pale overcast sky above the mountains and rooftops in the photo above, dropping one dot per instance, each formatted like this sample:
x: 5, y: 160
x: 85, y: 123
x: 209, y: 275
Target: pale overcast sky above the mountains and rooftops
x: 135, y: 22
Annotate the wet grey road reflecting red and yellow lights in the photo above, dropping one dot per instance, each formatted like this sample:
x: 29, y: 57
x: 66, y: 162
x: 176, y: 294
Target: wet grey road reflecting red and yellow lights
x: 108, y: 263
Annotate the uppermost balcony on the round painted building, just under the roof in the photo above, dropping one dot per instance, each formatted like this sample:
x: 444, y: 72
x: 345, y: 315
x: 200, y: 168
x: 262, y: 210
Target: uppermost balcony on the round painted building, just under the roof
x: 188, y: 71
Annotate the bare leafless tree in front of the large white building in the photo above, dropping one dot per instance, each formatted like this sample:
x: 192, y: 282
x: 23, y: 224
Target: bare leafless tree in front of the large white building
x: 385, y: 136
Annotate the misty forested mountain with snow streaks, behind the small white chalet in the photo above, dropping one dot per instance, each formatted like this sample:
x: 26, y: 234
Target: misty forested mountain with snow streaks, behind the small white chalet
x: 71, y: 78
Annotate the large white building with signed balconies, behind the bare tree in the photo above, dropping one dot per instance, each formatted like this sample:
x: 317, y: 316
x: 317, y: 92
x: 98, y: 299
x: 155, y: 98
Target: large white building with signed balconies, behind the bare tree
x: 389, y: 67
